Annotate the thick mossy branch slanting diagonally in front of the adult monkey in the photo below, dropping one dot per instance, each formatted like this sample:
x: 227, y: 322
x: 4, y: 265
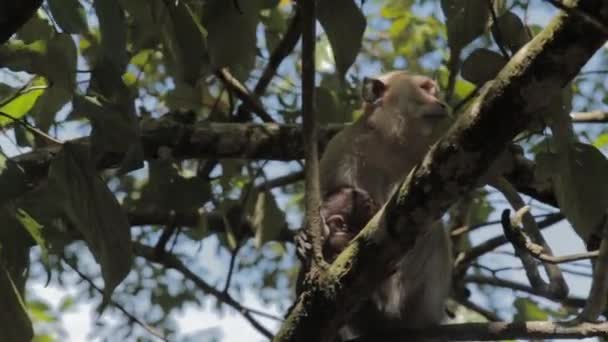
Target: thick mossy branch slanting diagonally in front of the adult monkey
x: 451, y: 169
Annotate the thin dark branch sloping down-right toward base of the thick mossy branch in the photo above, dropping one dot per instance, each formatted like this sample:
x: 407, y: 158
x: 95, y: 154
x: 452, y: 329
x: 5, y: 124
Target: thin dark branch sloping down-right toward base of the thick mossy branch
x: 171, y: 261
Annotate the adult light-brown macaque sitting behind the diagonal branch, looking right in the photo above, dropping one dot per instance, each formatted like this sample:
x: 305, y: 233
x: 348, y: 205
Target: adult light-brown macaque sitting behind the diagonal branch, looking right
x: 402, y: 117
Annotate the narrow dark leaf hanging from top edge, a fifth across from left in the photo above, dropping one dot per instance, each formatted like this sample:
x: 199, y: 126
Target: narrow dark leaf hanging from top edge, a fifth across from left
x: 113, y: 28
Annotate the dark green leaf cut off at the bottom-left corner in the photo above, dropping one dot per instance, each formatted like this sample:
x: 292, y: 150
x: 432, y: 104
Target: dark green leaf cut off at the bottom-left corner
x: 15, y: 324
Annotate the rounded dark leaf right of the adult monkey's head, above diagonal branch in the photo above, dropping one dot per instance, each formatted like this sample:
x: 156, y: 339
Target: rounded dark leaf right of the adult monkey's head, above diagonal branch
x: 481, y: 66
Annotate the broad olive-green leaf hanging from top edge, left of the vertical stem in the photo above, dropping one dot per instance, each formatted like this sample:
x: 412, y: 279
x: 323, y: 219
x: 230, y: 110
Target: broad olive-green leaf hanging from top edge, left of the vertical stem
x: 232, y: 33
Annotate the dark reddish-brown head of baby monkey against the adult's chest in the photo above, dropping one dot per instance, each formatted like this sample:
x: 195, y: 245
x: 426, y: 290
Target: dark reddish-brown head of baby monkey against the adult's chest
x: 344, y: 213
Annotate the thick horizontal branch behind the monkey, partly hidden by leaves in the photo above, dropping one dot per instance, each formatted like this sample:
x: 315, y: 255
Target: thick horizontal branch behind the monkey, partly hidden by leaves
x: 244, y: 141
